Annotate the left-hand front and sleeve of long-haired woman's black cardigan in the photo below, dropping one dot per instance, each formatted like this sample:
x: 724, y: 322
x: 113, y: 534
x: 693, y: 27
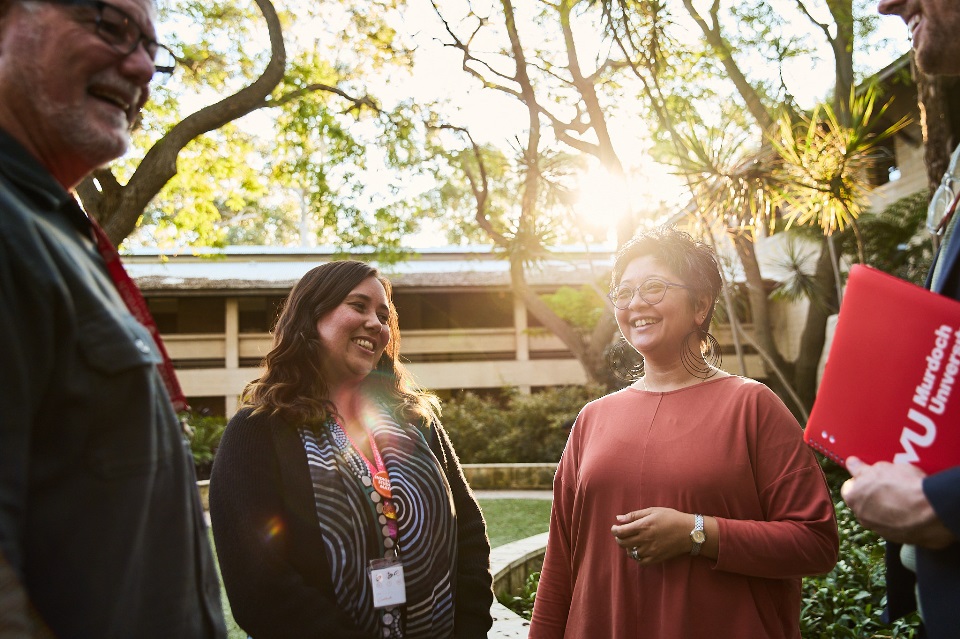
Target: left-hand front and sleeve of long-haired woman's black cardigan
x: 269, y: 574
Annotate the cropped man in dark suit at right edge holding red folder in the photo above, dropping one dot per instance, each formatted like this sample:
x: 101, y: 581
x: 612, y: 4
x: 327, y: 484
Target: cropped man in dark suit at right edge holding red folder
x: 918, y: 514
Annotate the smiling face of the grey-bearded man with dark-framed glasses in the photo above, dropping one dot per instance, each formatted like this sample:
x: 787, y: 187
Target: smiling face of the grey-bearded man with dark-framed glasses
x: 65, y: 94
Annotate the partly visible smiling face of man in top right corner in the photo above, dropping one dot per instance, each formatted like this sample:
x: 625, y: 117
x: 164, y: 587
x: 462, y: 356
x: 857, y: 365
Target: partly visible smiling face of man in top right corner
x: 934, y: 27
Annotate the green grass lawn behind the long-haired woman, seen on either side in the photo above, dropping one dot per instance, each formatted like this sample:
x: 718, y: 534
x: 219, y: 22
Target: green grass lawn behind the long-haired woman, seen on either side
x: 507, y: 520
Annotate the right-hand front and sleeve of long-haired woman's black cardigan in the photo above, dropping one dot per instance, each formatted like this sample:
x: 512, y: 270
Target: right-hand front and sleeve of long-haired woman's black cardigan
x: 474, y: 581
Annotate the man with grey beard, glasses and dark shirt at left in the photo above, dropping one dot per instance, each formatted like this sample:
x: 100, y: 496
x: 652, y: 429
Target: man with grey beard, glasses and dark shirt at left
x: 101, y: 529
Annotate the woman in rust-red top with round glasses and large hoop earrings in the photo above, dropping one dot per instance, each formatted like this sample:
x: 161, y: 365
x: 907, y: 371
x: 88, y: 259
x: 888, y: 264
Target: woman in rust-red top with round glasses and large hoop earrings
x: 685, y: 505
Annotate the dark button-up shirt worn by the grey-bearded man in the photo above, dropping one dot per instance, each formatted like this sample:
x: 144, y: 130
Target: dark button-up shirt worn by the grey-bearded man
x: 101, y: 525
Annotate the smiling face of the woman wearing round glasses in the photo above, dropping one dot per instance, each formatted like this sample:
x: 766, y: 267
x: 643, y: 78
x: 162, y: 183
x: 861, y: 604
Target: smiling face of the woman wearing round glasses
x: 657, y: 331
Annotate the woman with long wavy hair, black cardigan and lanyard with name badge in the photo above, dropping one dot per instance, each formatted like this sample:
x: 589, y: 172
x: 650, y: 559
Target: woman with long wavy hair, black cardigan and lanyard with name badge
x: 339, y: 508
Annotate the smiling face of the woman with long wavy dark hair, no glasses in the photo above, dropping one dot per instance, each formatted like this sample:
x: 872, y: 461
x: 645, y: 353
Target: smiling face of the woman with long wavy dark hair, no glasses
x: 355, y: 333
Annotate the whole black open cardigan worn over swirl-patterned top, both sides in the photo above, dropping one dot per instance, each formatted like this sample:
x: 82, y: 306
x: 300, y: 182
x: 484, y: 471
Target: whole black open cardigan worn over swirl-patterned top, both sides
x: 270, y: 548
